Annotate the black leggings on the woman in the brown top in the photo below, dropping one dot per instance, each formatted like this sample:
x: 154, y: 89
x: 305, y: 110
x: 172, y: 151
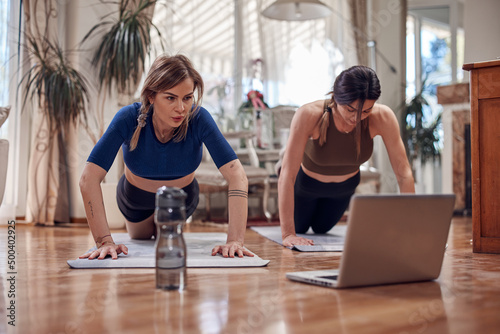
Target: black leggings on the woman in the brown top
x: 321, y: 205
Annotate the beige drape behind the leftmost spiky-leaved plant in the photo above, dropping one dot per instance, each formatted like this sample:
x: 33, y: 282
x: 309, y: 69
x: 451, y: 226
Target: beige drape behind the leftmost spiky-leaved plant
x: 47, y: 198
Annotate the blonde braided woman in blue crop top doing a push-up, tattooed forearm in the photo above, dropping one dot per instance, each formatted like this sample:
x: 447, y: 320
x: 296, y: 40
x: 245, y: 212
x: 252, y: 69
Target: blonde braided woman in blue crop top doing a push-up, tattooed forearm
x: 162, y: 140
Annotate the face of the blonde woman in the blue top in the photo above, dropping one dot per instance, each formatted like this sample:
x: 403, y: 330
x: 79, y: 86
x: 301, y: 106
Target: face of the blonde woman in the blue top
x: 172, y: 106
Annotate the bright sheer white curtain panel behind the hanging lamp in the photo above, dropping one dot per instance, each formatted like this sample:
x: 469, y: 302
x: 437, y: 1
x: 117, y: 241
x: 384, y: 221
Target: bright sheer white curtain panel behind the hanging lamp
x: 300, y: 59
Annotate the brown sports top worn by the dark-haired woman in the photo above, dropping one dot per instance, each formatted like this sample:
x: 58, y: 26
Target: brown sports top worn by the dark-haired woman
x: 338, y: 155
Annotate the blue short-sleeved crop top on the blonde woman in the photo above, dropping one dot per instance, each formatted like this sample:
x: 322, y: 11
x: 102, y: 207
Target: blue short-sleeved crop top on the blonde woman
x: 153, y: 159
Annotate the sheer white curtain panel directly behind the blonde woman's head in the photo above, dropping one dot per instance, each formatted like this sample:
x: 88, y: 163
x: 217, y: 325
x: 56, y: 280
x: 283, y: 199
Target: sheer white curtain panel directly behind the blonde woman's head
x: 203, y: 30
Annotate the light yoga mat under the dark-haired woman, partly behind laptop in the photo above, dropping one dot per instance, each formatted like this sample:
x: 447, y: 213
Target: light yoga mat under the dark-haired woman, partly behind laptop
x: 333, y: 241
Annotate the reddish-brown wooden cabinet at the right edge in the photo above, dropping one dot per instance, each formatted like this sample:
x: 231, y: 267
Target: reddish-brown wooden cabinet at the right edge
x: 485, y: 153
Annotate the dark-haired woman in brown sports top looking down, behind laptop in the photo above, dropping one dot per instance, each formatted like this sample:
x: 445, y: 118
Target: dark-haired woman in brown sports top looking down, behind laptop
x: 330, y: 140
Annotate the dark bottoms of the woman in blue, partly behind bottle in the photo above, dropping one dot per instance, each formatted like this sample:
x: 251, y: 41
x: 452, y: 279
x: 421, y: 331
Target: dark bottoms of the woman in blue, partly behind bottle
x: 137, y: 205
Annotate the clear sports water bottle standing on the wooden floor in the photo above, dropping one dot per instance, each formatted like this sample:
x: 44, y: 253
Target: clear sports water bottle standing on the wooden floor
x: 170, y: 217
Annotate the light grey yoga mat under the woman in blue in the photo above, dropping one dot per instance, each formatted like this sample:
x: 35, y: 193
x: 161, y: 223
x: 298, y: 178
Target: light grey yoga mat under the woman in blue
x: 141, y: 254
